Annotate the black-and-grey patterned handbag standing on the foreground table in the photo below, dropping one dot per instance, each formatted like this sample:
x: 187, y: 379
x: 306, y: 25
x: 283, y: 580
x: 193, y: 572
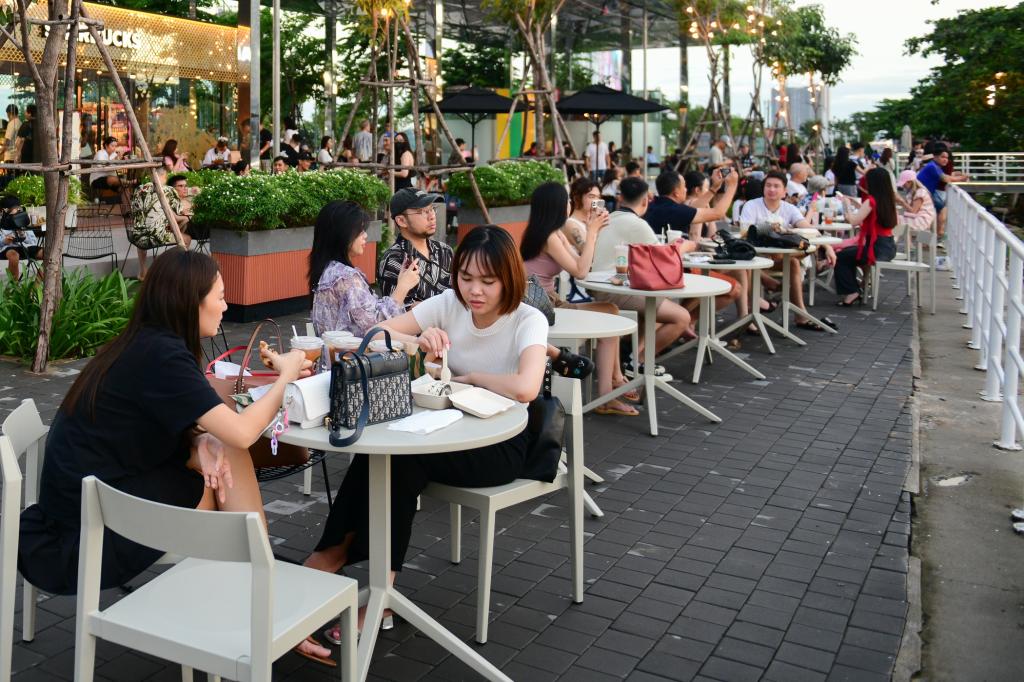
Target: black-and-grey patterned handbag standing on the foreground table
x: 368, y: 389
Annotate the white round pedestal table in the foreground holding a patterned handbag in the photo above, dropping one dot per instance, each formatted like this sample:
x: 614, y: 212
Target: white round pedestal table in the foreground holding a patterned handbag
x: 379, y: 444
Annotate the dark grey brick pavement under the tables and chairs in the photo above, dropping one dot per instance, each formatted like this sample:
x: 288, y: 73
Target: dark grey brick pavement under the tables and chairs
x: 773, y: 546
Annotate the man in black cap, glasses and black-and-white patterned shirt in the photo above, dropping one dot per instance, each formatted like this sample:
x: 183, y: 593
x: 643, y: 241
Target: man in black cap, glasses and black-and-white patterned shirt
x: 416, y: 224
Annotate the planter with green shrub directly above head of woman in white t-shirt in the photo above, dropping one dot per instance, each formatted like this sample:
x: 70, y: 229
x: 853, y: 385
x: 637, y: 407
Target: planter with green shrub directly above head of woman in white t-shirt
x: 506, y: 189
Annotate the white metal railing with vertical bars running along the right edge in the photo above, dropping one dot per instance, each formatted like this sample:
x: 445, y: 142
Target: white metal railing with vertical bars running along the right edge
x: 989, y: 270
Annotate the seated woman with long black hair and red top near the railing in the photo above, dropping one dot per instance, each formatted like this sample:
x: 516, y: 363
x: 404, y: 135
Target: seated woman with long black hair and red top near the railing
x: 877, y: 218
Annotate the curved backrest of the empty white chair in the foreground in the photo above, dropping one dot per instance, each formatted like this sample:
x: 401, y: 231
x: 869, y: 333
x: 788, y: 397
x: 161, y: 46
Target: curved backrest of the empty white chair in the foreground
x: 204, y: 535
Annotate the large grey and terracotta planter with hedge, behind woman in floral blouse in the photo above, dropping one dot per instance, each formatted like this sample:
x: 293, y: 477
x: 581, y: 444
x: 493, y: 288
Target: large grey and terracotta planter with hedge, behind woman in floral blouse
x: 262, y: 231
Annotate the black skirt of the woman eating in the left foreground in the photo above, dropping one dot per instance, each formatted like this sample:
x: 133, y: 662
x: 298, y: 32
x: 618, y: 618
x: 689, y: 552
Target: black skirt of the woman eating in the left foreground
x: 48, y: 555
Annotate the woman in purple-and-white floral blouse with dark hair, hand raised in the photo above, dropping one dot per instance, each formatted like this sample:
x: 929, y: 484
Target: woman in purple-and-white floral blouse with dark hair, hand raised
x: 343, y: 299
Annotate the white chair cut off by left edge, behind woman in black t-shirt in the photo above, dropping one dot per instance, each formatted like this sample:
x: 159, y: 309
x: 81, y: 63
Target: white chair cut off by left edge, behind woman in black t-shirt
x: 23, y: 434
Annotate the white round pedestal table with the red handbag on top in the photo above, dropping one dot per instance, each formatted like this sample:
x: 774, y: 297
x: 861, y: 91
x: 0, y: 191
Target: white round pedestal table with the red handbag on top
x: 696, y: 286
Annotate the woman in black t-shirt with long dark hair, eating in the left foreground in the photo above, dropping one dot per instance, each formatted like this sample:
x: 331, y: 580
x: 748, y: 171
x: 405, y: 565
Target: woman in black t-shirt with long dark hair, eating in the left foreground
x: 131, y: 420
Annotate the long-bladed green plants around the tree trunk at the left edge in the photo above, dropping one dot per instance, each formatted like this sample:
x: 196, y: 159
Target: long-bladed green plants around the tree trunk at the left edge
x: 92, y: 313
